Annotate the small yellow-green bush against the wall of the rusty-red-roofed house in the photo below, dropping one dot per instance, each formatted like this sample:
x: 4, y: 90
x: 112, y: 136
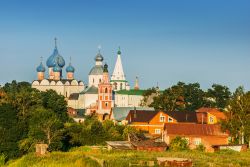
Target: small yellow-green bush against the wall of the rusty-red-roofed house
x: 178, y: 144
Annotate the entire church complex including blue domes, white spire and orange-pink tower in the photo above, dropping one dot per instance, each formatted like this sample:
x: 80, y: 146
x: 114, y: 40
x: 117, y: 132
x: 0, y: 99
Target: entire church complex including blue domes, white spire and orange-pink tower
x: 102, y: 93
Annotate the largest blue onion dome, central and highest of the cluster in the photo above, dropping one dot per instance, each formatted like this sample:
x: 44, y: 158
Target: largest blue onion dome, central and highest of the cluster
x: 52, y: 60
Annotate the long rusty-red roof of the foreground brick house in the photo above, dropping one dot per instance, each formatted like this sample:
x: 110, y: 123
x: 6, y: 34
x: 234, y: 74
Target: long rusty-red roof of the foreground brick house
x: 194, y: 129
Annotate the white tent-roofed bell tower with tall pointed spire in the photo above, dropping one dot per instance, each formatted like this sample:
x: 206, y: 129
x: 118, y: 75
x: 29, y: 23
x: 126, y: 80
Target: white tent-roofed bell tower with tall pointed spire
x: 118, y: 79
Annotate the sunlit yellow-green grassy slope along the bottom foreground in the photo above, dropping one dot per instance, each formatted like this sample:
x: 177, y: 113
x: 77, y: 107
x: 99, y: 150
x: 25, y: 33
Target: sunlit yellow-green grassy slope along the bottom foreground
x: 87, y: 157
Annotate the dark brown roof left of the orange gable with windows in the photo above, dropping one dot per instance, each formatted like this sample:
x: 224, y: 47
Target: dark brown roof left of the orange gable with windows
x: 141, y: 115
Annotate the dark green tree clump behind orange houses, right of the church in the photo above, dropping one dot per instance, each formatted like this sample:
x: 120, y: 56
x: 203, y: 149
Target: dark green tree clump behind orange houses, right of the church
x: 189, y: 97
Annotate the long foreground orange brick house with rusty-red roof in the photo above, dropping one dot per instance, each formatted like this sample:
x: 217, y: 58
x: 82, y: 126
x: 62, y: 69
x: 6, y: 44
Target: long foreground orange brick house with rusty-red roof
x: 196, y: 134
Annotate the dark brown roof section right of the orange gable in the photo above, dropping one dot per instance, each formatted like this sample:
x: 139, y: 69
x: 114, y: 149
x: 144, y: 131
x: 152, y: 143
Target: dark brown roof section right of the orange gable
x: 183, y: 116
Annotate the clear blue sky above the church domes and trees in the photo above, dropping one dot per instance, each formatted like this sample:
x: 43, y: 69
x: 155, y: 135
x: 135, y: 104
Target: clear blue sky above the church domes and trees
x: 205, y: 41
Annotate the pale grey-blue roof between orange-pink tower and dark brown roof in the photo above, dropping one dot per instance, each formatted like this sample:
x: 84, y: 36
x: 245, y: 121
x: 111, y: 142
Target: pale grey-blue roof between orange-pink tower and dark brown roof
x: 120, y: 113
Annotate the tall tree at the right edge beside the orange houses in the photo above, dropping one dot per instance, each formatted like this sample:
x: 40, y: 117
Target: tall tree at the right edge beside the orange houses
x: 238, y: 113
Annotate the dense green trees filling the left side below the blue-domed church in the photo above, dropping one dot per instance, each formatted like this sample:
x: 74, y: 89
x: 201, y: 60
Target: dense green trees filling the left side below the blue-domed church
x: 28, y: 117
